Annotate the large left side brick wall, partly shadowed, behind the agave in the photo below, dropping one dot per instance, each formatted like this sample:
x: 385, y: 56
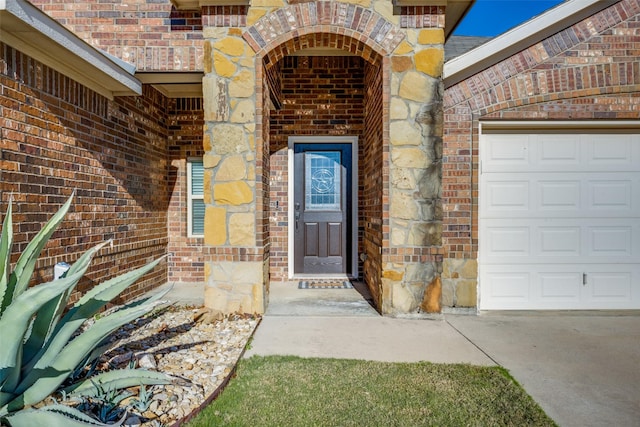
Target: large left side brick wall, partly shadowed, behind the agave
x: 57, y: 137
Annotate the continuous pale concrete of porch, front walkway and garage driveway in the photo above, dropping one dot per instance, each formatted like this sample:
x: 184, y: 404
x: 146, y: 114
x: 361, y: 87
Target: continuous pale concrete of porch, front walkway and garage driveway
x: 582, y: 368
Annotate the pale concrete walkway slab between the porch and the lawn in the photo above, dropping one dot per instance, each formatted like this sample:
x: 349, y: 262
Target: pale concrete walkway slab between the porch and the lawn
x: 367, y: 338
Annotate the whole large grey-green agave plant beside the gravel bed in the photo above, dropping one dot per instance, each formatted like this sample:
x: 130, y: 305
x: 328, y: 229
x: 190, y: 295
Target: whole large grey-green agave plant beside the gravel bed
x: 43, y: 343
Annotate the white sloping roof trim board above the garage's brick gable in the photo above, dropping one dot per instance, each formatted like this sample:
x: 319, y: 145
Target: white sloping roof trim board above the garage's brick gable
x: 520, y: 38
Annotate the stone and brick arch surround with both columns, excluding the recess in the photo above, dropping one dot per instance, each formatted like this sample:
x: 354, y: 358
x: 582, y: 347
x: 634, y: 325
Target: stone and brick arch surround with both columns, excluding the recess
x: 238, y: 48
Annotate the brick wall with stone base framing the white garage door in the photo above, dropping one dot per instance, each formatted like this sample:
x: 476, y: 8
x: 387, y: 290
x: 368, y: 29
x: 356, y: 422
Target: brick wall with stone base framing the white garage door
x: 589, y: 71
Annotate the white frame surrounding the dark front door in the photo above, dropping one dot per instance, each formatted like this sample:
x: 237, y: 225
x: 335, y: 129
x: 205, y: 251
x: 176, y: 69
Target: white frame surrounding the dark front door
x: 353, y: 140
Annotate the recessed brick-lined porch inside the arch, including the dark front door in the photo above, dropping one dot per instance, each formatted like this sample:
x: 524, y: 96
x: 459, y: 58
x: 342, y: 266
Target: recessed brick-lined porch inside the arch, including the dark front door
x: 323, y: 98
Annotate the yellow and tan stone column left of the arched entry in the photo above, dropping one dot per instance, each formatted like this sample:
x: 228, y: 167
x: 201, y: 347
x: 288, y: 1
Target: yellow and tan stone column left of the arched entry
x: 234, y: 273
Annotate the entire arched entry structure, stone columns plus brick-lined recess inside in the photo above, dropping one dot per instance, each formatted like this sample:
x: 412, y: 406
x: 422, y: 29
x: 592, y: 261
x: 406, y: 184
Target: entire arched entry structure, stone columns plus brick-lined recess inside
x: 369, y: 79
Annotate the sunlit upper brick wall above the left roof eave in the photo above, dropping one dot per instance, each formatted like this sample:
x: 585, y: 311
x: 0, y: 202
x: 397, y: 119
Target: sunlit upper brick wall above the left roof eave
x: 150, y: 34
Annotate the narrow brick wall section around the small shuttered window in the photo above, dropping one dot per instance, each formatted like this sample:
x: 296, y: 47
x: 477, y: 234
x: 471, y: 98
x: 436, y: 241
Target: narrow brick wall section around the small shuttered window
x: 186, y: 258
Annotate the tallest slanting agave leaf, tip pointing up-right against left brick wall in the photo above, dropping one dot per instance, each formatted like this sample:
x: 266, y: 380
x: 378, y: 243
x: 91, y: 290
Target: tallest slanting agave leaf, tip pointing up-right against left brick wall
x: 22, y: 272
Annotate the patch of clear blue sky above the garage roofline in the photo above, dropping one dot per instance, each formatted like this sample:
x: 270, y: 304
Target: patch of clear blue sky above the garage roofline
x: 494, y: 17
